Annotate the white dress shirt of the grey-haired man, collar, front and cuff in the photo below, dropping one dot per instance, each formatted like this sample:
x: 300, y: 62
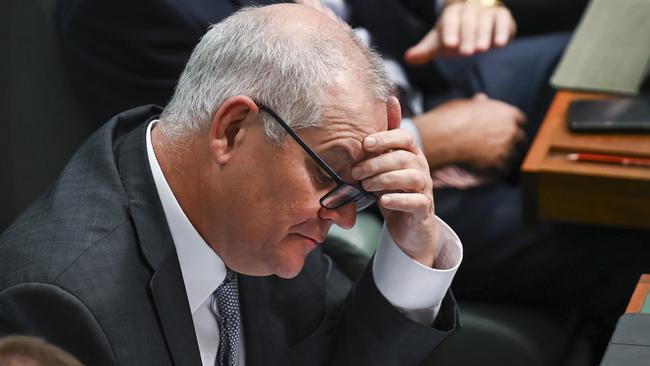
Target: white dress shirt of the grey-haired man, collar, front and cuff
x: 412, y: 288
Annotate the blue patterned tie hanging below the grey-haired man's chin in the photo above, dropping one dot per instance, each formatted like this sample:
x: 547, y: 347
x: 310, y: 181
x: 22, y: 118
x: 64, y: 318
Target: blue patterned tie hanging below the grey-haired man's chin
x: 225, y: 305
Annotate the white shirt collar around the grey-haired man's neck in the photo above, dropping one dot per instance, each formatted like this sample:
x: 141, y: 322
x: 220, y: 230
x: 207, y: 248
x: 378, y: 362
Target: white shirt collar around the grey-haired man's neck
x: 202, y: 269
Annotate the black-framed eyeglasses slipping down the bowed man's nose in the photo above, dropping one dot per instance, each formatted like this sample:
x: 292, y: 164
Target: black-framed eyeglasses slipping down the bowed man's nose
x: 344, y: 192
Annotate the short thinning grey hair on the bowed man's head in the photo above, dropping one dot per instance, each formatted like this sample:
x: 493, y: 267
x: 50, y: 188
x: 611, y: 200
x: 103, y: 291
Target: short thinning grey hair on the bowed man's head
x: 247, y: 54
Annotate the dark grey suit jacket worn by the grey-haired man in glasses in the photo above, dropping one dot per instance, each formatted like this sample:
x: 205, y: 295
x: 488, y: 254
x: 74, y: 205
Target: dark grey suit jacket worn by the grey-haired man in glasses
x: 91, y: 267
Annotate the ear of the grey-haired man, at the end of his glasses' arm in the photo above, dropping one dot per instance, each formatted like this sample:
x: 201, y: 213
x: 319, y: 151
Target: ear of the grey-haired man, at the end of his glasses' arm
x: 228, y: 129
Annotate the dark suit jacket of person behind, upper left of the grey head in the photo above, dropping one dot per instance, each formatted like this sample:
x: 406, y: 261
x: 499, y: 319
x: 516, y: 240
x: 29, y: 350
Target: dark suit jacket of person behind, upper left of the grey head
x: 122, y: 54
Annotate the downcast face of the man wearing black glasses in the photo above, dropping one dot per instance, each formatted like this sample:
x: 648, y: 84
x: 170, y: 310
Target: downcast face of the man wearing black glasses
x: 275, y: 218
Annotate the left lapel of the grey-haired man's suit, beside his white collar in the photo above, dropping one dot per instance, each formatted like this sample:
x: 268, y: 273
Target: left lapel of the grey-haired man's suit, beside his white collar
x: 166, y: 286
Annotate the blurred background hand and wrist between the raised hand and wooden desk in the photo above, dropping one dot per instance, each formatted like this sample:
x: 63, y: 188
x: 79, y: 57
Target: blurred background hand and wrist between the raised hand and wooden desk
x: 480, y: 132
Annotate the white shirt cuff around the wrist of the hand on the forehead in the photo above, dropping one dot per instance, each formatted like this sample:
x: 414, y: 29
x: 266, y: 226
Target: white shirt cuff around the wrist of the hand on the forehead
x: 413, y: 289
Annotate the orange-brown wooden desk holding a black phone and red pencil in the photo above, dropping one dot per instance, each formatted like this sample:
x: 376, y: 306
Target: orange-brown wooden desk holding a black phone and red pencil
x: 594, y: 193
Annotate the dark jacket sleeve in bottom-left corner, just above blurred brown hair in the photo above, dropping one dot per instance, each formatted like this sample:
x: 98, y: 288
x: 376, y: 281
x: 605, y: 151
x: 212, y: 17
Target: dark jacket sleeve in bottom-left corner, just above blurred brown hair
x: 54, y: 314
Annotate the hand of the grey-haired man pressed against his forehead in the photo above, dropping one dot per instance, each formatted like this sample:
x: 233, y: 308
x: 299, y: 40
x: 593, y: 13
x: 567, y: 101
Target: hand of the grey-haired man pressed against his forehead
x: 398, y: 173
